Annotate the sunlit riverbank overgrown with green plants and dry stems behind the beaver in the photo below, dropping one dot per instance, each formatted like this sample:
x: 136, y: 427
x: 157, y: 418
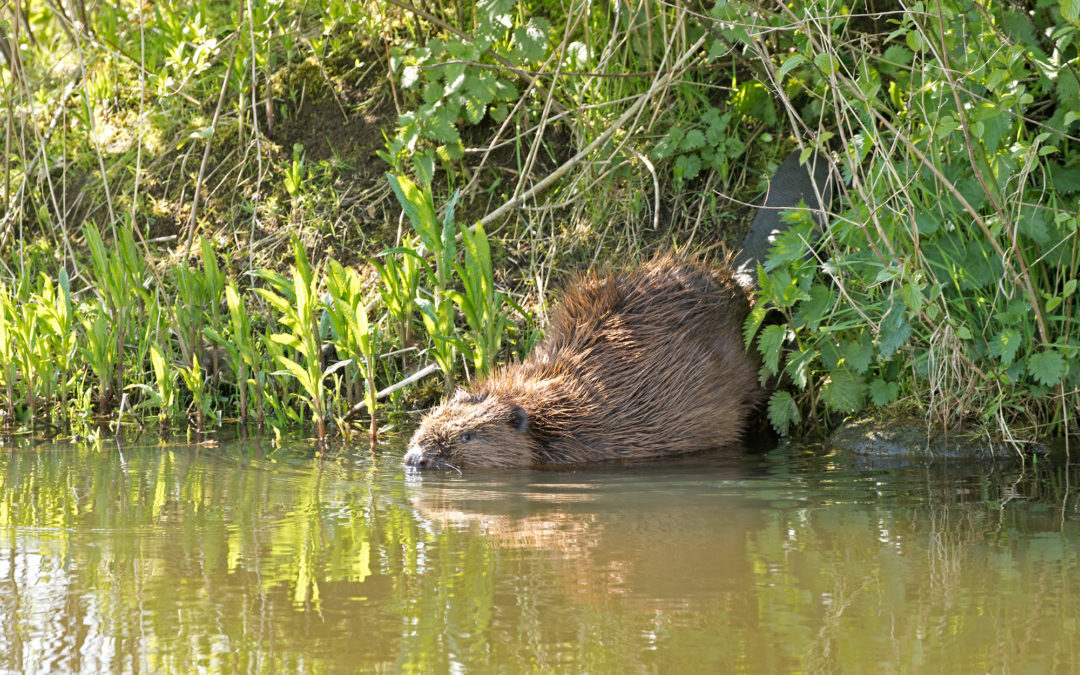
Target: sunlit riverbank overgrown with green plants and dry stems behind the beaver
x: 269, y: 214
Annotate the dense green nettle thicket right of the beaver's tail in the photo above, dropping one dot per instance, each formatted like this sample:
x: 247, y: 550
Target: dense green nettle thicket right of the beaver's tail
x: 947, y: 280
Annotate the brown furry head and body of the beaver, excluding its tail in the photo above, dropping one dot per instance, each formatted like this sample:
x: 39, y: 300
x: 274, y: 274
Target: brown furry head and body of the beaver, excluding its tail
x: 636, y: 364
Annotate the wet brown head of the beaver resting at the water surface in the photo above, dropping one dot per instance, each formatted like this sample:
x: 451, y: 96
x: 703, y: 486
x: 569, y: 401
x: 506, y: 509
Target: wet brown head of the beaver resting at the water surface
x: 474, y: 430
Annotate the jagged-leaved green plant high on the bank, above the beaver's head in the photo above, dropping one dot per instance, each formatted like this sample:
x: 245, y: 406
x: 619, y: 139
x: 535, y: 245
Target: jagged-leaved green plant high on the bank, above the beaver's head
x: 461, y: 80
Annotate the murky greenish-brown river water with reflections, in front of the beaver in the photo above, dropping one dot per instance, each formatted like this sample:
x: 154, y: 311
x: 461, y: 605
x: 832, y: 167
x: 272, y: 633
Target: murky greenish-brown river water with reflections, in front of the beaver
x: 242, y: 558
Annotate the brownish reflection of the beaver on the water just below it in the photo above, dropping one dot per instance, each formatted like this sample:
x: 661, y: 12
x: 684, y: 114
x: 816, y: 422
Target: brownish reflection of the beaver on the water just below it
x: 644, y: 531
